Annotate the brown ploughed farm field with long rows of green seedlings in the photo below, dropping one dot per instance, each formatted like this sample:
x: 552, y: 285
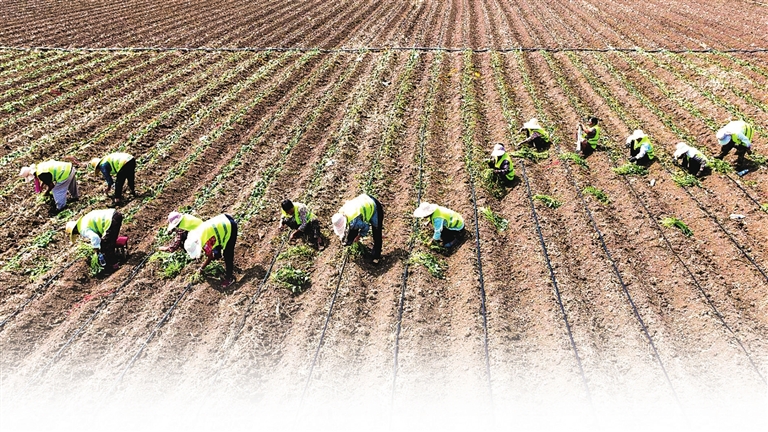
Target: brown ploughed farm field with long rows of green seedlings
x: 594, y: 306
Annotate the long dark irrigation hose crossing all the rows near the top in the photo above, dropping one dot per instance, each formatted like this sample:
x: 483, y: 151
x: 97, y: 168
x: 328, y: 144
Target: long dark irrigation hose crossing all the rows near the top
x: 383, y: 48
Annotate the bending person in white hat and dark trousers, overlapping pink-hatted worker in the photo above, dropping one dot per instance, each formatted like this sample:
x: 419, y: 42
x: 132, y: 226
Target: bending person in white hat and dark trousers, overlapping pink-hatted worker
x: 216, y: 237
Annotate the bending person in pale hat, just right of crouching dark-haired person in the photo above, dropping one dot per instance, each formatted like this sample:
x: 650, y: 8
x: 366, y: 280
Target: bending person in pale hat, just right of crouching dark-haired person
x: 355, y: 218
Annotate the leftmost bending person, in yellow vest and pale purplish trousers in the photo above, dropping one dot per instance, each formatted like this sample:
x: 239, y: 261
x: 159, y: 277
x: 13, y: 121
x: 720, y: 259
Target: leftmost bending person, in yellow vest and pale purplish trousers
x: 58, y: 177
